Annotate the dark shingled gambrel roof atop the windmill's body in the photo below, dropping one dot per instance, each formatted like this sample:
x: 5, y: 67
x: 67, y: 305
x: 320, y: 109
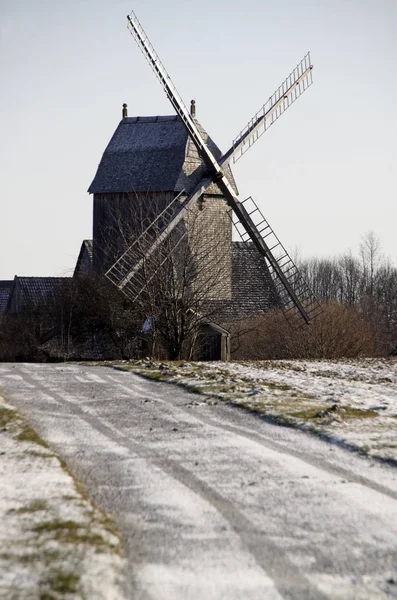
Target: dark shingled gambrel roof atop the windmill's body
x: 152, y: 154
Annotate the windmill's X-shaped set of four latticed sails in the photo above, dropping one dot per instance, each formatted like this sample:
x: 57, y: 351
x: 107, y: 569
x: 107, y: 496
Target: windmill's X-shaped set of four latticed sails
x: 294, y: 295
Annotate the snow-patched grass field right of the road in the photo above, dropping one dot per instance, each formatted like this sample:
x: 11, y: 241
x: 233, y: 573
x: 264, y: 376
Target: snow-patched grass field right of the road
x: 353, y: 402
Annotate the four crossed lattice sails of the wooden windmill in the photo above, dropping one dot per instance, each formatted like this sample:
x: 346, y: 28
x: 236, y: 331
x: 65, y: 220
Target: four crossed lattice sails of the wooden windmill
x: 295, y: 298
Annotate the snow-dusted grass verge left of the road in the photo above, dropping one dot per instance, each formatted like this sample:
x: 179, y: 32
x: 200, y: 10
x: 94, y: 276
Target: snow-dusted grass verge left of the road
x: 54, y: 543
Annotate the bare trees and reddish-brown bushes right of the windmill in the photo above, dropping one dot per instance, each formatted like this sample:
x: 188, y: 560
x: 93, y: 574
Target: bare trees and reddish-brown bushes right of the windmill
x: 358, y: 295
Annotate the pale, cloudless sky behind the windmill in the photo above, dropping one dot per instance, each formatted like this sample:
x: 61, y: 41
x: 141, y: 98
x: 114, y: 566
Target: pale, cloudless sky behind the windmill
x: 324, y: 174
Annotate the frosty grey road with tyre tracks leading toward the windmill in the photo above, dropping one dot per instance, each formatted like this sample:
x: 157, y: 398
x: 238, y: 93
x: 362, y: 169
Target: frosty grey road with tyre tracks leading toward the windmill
x: 213, y: 502
